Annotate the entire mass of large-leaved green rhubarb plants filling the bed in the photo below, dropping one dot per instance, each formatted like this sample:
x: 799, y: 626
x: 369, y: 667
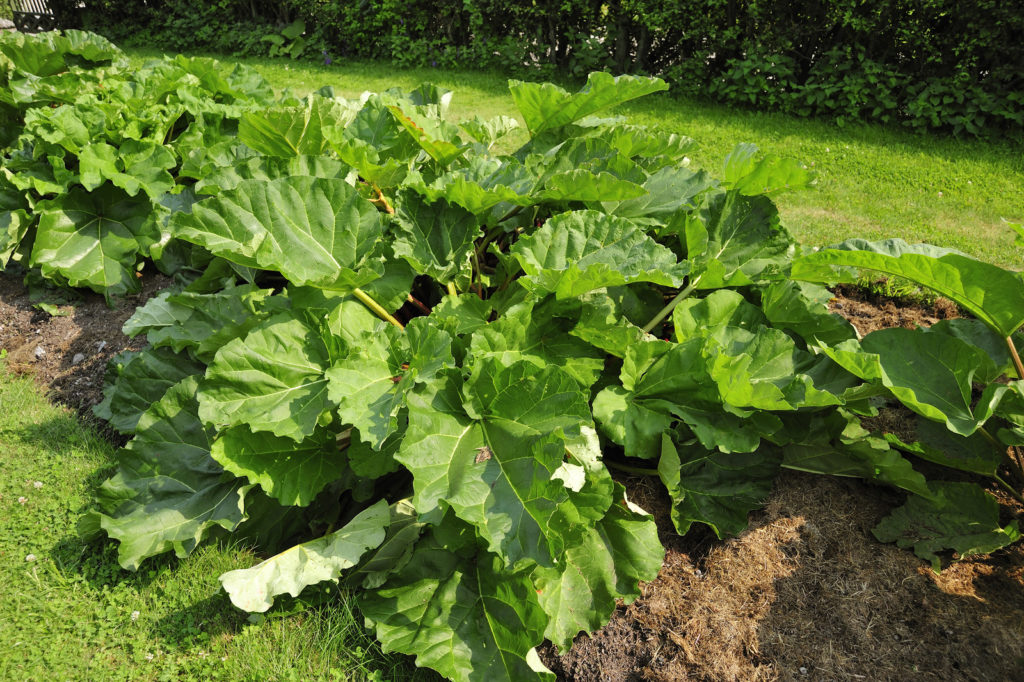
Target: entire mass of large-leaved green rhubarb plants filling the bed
x: 402, y: 361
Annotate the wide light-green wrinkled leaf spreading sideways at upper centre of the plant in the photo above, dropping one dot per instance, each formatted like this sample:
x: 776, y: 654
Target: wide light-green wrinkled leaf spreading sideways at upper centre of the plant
x: 577, y: 252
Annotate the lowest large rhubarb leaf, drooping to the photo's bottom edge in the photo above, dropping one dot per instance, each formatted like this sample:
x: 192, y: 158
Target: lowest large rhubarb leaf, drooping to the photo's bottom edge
x: 467, y: 619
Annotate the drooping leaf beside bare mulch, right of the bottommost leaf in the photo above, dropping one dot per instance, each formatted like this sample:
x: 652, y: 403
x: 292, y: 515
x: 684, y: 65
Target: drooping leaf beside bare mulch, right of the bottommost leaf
x: 606, y: 568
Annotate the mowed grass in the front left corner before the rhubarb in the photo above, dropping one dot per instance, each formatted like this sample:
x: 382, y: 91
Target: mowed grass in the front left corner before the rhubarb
x: 68, y: 612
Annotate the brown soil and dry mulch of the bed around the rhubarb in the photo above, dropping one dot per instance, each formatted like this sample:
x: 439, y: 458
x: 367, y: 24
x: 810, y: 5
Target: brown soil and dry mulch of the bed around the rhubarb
x: 806, y: 593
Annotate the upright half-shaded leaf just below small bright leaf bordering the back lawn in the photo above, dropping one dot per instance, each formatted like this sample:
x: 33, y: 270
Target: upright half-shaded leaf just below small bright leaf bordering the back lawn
x: 736, y: 240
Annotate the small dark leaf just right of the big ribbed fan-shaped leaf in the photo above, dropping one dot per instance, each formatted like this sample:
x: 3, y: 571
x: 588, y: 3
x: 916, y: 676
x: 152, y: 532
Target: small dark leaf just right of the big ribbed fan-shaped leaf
x: 437, y: 239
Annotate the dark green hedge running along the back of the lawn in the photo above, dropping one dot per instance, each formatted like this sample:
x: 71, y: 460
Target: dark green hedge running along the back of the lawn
x: 951, y: 65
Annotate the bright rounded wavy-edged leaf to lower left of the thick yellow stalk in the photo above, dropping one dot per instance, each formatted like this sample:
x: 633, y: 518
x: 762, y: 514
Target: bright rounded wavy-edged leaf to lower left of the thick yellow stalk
x: 272, y: 380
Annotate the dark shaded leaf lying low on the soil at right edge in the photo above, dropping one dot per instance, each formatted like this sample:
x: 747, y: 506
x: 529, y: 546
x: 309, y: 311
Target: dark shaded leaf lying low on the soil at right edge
x: 962, y: 518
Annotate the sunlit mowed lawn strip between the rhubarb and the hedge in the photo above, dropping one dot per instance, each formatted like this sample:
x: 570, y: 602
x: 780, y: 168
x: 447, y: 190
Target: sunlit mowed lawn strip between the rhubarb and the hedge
x: 873, y: 182
